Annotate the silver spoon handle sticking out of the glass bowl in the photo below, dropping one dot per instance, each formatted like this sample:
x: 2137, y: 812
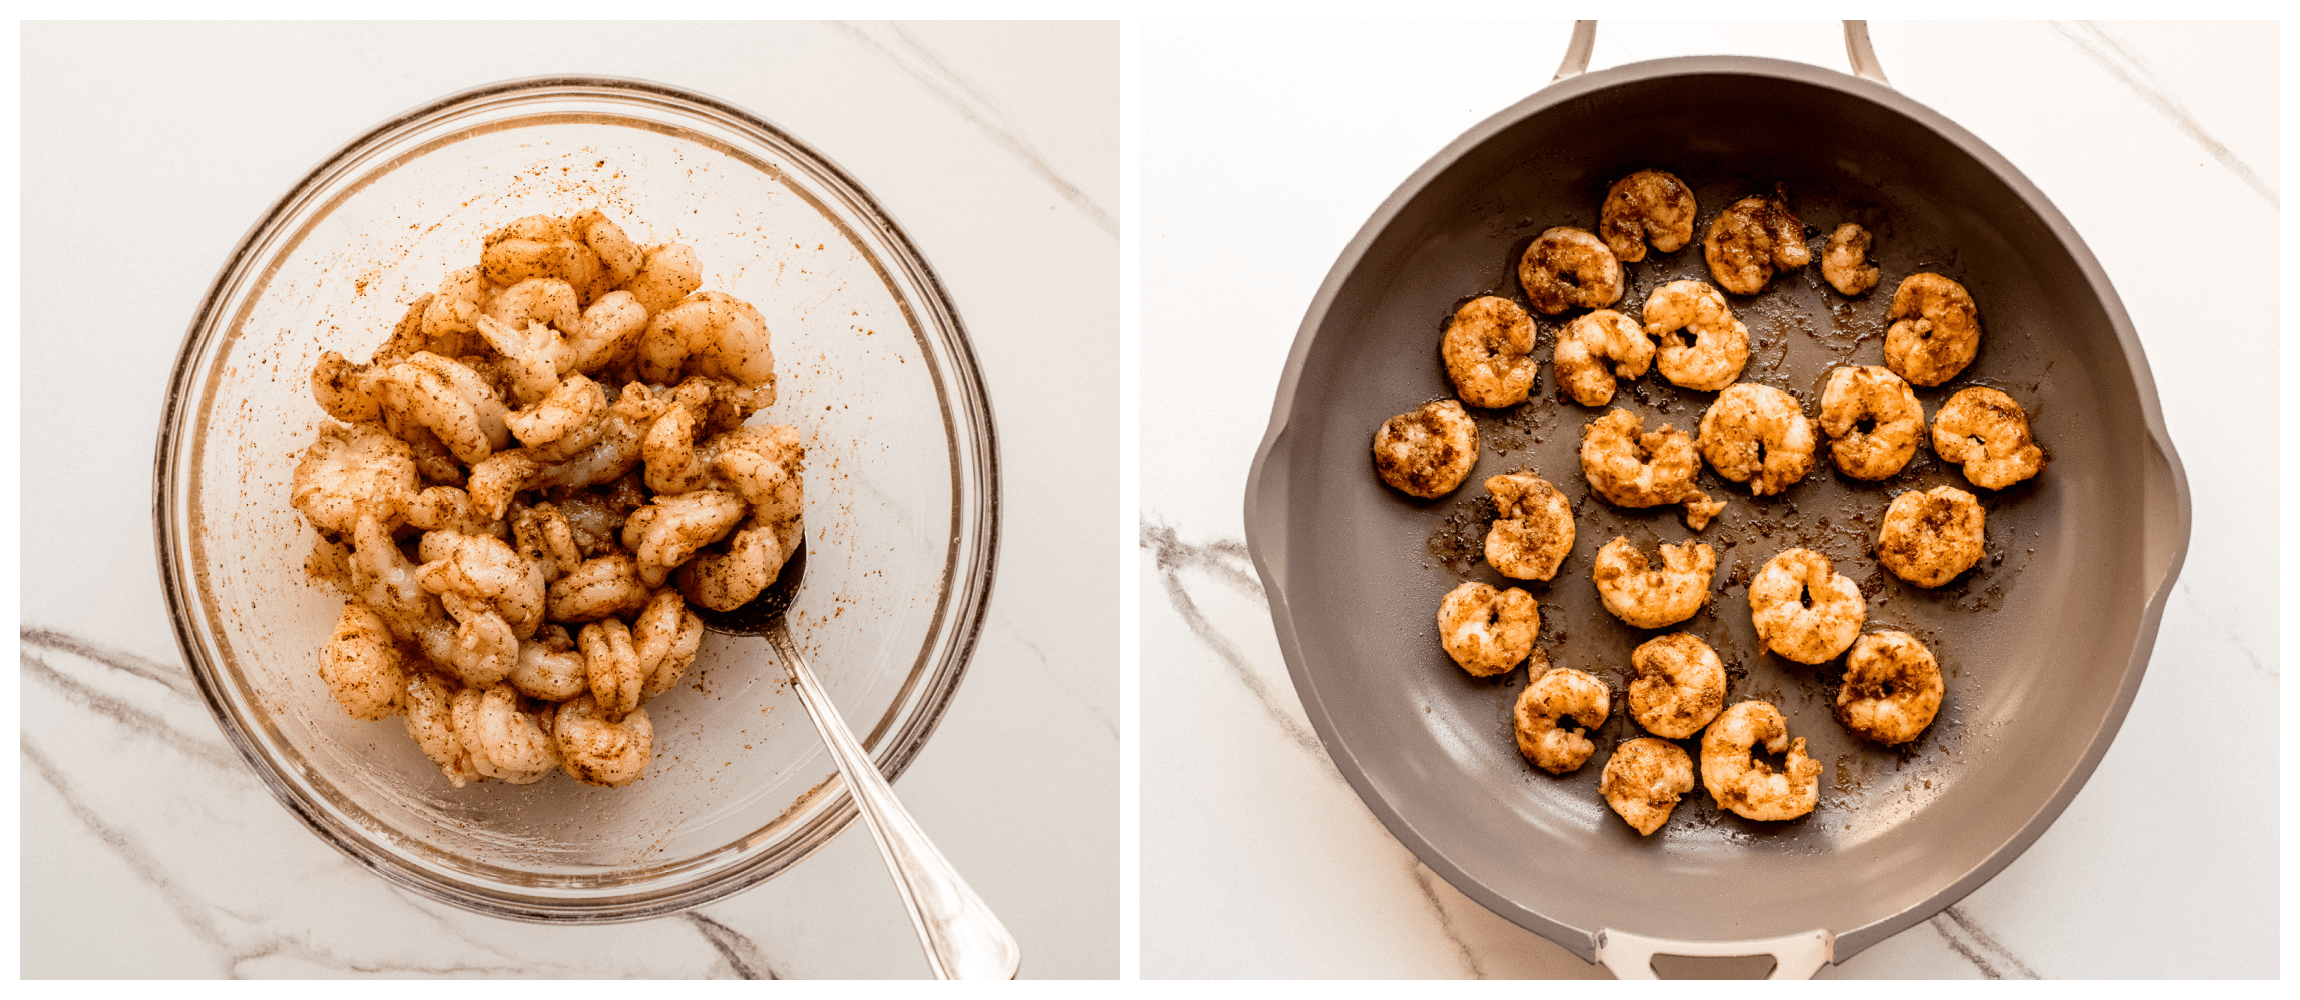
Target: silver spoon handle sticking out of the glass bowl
x: 963, y: 937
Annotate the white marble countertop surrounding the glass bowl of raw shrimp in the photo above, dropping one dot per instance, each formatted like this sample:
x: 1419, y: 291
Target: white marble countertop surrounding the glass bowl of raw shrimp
x: 148, y: 151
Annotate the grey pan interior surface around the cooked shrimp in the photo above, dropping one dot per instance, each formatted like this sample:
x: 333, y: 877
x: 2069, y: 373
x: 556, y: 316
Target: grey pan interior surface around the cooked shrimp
x: 2044, y: 643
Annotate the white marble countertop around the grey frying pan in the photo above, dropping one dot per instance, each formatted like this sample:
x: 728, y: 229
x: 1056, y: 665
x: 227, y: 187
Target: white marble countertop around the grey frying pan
x: 1264, y: 153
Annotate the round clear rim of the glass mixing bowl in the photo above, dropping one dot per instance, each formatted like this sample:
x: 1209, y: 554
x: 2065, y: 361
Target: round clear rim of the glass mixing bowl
x: 969, y: 567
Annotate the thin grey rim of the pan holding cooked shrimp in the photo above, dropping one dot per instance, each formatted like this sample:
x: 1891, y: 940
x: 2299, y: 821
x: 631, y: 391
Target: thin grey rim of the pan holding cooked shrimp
x: 1266, y: 486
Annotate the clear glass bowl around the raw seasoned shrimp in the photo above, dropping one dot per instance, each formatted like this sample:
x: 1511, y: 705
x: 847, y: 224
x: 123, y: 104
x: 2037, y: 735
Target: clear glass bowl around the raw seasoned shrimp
x: 875, y: 371
